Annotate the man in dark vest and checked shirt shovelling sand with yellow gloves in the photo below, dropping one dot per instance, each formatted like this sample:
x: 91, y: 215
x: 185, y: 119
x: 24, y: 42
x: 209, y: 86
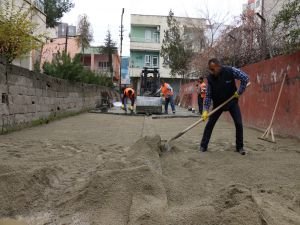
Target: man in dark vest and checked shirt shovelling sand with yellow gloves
x: 221, y: 86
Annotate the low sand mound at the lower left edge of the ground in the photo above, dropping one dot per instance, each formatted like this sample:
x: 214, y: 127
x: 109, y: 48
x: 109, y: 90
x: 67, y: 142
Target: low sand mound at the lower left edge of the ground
x: 21, y: 189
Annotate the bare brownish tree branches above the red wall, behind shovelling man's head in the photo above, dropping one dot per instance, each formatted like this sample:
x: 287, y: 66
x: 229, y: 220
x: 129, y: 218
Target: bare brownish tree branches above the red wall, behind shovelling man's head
x: 238, y: 44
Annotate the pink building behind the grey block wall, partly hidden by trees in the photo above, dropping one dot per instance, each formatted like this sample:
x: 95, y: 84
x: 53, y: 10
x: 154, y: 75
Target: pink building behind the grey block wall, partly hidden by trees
x: 93, y: 58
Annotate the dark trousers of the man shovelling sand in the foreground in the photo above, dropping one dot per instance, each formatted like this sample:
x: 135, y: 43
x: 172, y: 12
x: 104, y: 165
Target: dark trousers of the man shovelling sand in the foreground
x: 236, y: 115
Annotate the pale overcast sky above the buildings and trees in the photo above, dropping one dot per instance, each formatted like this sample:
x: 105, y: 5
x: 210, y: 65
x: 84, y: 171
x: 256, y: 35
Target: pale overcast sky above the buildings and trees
x: 105, y: 15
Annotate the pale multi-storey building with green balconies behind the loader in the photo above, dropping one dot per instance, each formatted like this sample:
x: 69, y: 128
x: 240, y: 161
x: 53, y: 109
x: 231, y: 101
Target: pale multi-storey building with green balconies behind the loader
x: 146, y: 37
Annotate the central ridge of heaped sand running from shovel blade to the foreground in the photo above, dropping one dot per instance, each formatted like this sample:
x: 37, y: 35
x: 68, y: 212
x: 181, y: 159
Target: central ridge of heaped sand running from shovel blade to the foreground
x: 129, y: 193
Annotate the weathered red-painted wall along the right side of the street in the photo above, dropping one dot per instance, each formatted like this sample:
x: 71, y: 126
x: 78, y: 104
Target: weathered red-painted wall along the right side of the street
x: 258, y: 102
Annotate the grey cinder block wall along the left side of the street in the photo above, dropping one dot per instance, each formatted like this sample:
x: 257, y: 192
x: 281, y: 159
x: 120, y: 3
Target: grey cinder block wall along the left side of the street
x: 27, y: 96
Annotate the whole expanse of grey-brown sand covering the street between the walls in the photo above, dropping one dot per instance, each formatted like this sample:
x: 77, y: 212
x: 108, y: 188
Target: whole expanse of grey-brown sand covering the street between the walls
x: 101, y: 169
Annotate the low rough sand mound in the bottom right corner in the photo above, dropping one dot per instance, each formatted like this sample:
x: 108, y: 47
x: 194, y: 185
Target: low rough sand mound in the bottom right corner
x: 237, y: 204
